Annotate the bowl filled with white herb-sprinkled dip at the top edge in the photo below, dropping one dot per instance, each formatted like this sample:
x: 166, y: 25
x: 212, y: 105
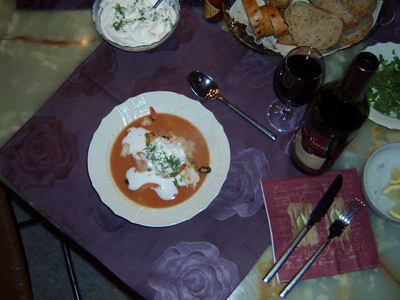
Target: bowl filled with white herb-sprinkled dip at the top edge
x: 132, y: 25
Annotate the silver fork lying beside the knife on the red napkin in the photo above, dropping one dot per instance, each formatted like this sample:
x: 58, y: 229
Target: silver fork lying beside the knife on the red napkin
x: 335, y: 230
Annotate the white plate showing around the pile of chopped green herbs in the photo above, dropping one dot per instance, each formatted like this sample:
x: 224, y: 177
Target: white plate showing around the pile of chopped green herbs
x: 386, y: 50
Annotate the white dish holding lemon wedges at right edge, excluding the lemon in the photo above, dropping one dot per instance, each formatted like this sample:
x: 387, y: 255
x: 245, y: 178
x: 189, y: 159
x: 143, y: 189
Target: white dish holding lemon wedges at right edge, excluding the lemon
x: 376, y: 177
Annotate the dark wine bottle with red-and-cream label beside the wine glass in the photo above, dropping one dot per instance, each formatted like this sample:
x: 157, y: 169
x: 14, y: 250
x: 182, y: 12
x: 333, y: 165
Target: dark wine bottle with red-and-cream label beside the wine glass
x: 333, y: 119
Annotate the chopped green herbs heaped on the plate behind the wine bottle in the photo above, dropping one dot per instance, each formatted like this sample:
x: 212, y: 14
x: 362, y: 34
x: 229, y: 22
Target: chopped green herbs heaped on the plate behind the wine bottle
x: 383, y: 91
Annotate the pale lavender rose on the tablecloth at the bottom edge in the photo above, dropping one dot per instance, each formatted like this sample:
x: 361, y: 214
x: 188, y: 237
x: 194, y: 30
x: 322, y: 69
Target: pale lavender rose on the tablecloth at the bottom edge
x: 193, y: 271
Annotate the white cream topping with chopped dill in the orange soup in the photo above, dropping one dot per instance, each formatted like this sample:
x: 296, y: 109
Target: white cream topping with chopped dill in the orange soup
x: 162, y: 164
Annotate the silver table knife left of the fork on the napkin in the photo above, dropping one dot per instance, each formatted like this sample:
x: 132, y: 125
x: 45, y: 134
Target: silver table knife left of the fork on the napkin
x: 316, y: 215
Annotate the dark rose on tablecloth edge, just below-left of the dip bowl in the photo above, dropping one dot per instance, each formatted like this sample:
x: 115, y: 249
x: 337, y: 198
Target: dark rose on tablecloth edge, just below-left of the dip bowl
x: 103, y: 69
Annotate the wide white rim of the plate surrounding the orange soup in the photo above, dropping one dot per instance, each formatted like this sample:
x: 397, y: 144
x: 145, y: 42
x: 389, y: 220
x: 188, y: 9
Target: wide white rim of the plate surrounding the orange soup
x: 132, y: 109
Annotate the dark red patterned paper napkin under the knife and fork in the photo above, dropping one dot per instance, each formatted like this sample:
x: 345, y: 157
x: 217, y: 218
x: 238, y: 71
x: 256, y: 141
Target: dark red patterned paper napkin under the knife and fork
x: 289, y: 202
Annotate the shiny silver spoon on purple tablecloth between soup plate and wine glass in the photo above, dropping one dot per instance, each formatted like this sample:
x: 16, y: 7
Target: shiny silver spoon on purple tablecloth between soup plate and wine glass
x: 204, y: 87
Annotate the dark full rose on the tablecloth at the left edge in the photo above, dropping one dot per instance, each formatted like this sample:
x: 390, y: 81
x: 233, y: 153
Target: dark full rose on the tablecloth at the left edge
x: 40, y: 153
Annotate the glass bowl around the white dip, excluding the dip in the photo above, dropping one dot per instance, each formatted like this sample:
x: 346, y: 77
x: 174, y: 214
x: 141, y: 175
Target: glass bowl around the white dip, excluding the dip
x: 98, y: 10
